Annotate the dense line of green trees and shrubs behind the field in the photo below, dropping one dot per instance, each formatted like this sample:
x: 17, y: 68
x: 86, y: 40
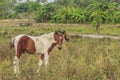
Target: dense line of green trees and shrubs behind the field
x: 63, y: 11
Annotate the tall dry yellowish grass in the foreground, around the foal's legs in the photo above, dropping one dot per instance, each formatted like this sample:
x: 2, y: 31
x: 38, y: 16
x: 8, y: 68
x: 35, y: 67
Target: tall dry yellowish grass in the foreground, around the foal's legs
x: 80, y: 59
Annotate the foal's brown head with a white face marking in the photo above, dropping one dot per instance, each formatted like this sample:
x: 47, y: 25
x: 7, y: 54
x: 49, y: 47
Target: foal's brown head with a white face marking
x: 59, y: 37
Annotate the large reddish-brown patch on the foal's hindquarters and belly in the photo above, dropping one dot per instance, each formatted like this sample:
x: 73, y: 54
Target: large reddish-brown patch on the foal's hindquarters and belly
x: 25, y: 44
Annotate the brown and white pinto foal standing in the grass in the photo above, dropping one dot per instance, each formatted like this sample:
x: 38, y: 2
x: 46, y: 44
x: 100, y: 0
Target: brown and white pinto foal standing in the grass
x: 42, y: 44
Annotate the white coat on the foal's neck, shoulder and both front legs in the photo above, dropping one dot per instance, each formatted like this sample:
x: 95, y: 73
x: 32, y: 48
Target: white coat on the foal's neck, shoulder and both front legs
x: 42, y: 44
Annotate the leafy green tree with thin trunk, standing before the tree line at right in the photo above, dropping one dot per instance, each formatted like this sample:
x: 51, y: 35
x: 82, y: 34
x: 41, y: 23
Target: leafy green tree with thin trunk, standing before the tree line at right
x: 102, y: 12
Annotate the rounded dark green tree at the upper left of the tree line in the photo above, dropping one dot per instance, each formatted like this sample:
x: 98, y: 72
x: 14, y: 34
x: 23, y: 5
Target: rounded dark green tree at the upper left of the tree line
x: 28, y: 8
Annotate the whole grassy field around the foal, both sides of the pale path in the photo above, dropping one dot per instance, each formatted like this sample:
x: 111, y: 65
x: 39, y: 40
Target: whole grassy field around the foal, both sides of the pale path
x: 80, y: 58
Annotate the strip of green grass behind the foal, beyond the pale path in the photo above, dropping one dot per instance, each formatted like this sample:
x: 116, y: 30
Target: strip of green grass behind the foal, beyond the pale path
x: 38, y: 29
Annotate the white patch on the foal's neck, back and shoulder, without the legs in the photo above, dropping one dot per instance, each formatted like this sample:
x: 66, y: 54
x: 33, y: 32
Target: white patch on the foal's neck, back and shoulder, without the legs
x: 42, y: 43
